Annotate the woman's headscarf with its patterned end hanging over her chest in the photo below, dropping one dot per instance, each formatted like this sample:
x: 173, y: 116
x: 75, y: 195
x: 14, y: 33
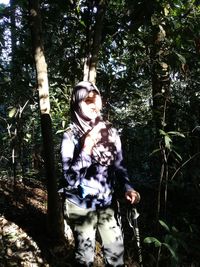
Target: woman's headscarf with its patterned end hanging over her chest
x: 104, y: 151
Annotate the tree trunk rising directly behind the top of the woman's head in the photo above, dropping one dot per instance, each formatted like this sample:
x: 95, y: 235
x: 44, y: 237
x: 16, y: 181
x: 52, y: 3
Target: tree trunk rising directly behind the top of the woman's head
x: 94, y: 42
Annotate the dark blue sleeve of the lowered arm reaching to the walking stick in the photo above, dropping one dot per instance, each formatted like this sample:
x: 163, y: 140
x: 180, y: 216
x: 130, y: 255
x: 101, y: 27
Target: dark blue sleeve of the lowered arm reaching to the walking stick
x: 121, y: 174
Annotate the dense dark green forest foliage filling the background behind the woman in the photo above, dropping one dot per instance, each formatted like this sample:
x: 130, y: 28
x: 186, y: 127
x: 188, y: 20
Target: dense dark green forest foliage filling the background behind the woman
x: 146, y: 57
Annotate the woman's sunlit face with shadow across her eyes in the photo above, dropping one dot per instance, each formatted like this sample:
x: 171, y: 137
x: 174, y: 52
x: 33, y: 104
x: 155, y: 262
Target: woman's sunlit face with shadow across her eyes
x: 91, y: 105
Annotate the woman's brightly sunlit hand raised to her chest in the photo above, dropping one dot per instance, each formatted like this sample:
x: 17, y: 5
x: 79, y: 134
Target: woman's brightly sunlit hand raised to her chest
x: 93, y: 137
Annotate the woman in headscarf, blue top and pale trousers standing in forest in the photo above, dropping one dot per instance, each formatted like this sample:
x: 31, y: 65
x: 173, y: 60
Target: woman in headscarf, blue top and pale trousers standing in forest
x: 92, y: 168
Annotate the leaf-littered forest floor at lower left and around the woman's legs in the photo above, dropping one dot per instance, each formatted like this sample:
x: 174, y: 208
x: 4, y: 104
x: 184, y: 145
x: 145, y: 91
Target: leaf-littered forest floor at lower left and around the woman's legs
x: 24, y: 241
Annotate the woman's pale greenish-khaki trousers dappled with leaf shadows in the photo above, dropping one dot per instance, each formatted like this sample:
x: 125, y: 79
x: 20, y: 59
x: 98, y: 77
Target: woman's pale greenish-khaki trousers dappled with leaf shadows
x: 85, y: 223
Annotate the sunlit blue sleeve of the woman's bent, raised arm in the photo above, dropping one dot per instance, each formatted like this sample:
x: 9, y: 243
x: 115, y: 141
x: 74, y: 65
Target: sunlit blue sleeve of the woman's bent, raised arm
x: 74, y: 168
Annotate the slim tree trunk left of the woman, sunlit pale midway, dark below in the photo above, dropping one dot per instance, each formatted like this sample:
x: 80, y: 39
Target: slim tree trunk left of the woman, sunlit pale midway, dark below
x: 54, y: 209
